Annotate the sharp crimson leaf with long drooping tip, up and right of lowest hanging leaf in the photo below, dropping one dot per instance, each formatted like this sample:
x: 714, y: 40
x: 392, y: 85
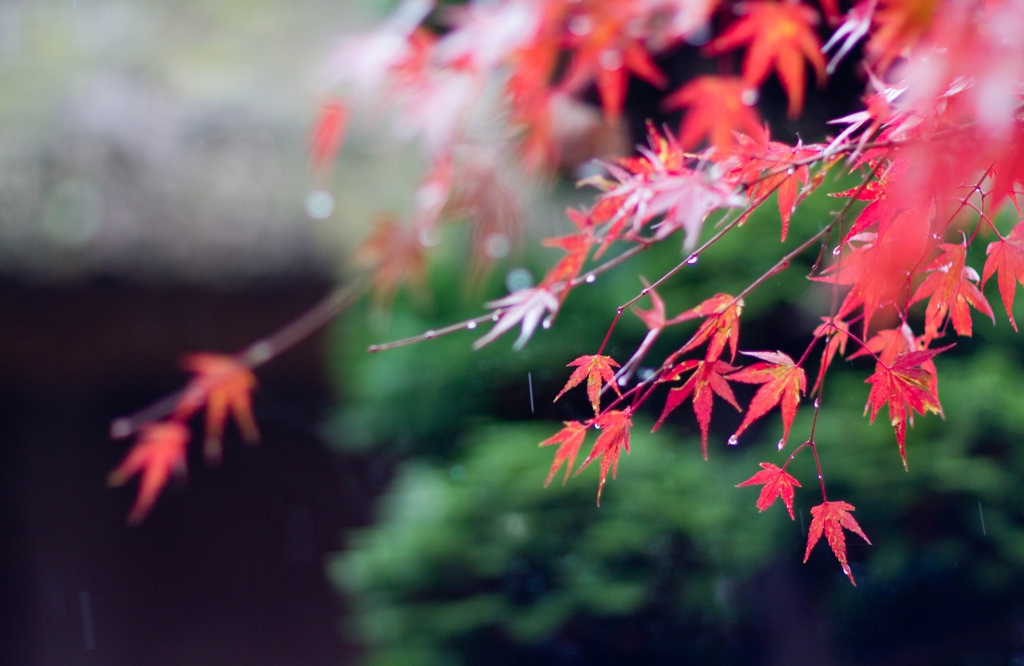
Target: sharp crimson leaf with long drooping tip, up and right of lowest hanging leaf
x: 907, y: 387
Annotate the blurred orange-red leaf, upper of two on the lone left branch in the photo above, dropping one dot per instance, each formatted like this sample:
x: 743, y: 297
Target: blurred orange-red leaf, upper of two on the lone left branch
x: 223, y: 384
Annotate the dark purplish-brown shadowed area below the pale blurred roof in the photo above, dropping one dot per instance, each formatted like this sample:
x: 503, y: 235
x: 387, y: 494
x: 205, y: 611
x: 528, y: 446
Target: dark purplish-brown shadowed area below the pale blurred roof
x: 229, y: 567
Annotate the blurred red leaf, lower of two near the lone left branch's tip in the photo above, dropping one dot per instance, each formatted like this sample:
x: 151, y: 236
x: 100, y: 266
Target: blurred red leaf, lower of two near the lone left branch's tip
x: 159, y: 452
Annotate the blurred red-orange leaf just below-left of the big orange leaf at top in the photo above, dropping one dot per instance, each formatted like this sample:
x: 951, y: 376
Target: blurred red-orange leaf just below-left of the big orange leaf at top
x: 717, y: 109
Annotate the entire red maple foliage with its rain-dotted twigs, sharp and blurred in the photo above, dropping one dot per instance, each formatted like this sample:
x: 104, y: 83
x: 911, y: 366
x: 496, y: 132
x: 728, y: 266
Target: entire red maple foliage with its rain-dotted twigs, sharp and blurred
x: 938, y: 150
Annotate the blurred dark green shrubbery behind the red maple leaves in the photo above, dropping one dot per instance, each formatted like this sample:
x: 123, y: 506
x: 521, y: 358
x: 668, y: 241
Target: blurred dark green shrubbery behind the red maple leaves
x: 474, y: 561
